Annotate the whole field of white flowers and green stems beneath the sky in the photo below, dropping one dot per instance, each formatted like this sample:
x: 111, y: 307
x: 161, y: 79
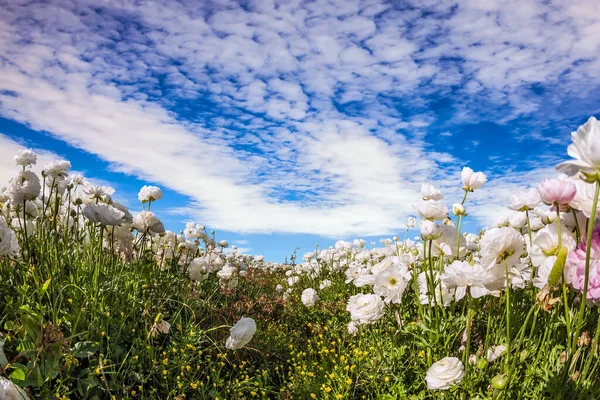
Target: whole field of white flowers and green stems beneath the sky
x: 101, y: 302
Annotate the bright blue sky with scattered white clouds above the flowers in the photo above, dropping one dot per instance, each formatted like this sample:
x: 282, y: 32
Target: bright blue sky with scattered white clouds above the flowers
x: 284, y: 124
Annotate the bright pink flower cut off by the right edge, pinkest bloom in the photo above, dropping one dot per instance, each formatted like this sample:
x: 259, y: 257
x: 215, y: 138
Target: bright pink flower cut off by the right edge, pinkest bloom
x: 576, y: 267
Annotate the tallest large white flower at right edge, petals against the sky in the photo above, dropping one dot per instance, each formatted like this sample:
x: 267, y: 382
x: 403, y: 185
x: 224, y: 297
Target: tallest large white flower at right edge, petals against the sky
x: 585, y: 149
